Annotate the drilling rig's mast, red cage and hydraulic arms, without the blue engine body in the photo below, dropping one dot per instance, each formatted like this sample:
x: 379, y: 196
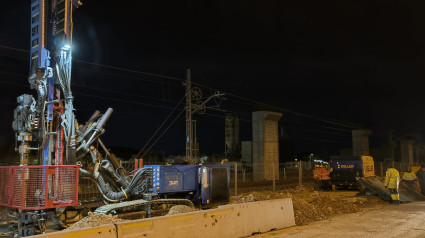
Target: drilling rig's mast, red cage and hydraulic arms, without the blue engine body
x: 49, y: 139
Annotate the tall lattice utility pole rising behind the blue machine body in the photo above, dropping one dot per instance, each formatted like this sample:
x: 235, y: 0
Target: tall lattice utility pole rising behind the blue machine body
x: 189, y: 124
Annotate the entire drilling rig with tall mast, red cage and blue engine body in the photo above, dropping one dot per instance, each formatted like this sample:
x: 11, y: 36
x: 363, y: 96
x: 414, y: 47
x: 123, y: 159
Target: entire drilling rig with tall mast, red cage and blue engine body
x: 65, y: 169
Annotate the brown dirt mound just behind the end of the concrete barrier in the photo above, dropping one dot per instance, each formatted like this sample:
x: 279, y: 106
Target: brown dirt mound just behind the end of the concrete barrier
x: 311, y: 205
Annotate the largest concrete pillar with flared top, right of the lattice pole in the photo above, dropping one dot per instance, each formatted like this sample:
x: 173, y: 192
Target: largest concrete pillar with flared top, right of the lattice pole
x: 265, y: 145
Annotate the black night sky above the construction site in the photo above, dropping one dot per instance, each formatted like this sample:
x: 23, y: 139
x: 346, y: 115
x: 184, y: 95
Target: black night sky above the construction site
x: 357, y: 62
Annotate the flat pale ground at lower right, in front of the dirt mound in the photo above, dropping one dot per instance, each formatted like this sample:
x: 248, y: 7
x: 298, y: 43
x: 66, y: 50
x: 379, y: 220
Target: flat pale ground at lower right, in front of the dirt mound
x: 383, y: 221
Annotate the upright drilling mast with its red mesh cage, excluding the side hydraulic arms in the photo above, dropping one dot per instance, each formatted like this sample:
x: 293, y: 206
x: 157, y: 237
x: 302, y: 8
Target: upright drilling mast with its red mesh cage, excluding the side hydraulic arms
x: 45, y: 132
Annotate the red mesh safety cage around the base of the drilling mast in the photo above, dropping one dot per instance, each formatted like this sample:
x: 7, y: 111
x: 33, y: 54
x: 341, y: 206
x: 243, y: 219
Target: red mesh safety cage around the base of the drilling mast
x: 39, y: 187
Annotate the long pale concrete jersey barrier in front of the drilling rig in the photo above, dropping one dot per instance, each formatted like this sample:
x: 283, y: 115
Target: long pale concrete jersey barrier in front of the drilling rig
x: 235, y: 220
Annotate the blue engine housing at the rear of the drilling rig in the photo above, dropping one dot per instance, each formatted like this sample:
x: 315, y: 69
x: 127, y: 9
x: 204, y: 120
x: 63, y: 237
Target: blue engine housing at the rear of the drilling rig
x: 204, y: 183
